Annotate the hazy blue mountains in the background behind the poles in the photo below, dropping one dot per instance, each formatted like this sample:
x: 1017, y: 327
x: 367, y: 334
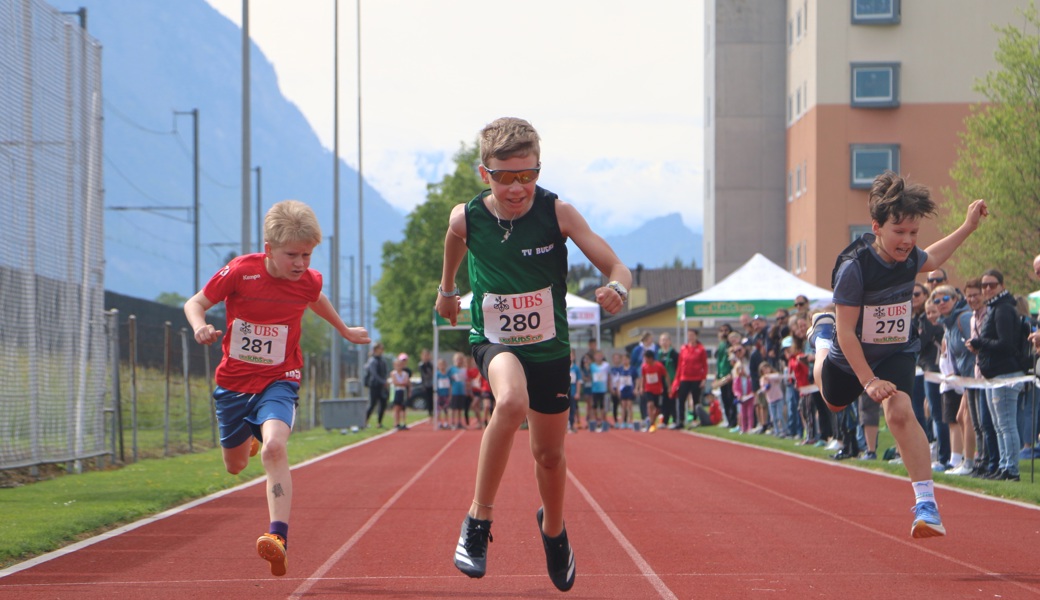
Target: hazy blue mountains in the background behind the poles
x: 162, y: 61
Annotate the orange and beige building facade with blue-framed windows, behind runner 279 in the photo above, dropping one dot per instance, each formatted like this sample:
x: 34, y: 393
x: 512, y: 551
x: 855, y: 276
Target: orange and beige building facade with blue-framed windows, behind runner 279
x: 875, y: 85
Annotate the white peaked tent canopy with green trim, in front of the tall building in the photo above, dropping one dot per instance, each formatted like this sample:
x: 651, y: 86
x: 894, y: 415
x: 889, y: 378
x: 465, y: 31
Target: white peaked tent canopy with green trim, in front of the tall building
x: 760, y: 286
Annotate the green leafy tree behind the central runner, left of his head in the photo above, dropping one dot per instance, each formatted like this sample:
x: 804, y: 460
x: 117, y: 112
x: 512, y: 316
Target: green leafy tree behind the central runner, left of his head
x: 412, y: 268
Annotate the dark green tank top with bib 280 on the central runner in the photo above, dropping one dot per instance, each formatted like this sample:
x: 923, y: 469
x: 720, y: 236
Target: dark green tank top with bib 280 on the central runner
x: 519, y: 280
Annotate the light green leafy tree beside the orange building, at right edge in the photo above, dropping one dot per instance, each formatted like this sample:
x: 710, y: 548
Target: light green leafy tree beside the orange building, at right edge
x: 999, y: 160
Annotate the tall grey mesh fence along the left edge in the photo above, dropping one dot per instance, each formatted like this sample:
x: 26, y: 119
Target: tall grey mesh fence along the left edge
x: 53, y: 329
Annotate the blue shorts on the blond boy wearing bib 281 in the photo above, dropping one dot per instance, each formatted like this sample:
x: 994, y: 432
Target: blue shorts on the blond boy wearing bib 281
x: 241, y: 415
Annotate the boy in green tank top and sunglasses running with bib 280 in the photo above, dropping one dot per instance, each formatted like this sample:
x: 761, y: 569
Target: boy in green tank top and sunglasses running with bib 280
x: 515, y: 234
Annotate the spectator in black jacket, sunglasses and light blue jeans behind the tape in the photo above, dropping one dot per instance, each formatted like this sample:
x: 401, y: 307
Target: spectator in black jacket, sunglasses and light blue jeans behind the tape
x: 998, y: 359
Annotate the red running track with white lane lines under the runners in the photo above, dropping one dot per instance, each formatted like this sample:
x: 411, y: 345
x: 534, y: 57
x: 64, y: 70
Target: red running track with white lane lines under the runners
x: 669, y: 515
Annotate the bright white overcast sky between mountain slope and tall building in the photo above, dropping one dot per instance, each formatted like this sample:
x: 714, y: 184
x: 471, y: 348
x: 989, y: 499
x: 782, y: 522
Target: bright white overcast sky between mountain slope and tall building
x: 615, y: 89
